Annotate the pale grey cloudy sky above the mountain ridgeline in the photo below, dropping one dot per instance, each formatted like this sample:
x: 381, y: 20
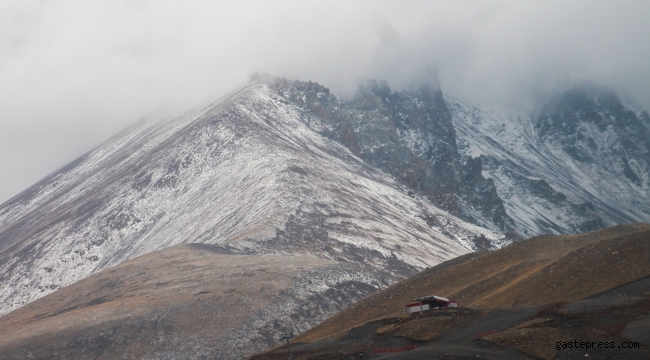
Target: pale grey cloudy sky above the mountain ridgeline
x: 73, y: 73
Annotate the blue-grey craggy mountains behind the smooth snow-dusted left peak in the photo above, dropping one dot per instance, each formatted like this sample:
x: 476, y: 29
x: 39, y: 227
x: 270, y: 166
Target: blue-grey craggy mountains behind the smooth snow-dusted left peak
x: 563, y: 169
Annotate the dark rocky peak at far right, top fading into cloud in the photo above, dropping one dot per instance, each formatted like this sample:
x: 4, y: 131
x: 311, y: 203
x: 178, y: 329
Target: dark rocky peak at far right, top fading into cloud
x: 593, y: 127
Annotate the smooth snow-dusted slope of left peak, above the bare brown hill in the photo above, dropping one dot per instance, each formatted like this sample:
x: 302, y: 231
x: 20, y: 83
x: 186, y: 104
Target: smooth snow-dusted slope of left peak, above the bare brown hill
x: 245, y: 173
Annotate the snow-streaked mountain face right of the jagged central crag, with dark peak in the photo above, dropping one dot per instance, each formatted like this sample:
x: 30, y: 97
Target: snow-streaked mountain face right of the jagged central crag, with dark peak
x: 580, y: 165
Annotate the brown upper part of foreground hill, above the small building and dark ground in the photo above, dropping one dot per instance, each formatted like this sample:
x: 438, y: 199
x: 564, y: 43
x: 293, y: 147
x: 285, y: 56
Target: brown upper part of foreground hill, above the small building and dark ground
x: 539, y: 271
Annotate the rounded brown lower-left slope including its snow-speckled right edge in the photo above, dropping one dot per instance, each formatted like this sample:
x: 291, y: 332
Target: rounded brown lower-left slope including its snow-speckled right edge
x: 188, y: 301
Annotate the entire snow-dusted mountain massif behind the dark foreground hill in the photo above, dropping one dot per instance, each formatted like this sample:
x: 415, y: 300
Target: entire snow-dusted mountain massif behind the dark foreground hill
x: 372, y: 189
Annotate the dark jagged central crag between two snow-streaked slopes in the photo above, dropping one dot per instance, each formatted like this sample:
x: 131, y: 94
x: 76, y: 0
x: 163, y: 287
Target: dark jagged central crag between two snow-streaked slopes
x: 408, y: 134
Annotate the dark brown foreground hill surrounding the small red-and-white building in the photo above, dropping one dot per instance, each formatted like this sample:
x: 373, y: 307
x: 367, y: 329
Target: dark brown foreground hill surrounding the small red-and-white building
x: 514, y: 303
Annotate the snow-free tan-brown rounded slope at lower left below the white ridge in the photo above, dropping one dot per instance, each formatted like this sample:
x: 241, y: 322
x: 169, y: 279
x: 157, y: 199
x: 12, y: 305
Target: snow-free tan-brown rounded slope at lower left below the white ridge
x: 183, y: 296
